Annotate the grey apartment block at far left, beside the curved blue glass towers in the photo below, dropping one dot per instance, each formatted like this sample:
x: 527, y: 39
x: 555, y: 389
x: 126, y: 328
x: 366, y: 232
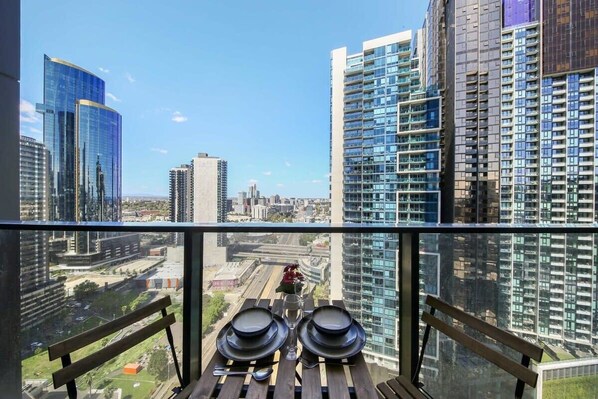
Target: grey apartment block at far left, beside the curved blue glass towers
x: 41, y: 297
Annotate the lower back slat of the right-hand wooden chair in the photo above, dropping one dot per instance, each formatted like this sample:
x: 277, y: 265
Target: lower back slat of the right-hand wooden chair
x: 513, y: 368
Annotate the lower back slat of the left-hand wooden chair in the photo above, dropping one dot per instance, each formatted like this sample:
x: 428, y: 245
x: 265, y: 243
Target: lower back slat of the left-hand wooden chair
x: 88, y: 363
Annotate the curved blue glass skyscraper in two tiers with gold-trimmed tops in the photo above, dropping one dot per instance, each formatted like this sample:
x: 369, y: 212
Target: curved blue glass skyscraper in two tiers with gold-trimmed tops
x: 84, y: 141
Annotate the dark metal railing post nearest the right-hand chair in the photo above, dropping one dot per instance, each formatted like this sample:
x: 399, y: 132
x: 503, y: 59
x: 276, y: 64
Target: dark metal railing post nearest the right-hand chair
x: 408, y: 304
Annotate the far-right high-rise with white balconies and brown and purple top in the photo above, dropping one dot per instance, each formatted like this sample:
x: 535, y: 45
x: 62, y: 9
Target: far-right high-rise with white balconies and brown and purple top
x: 548, y: 139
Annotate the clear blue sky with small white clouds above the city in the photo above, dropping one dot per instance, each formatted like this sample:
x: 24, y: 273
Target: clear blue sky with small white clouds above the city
x: 247, y: 81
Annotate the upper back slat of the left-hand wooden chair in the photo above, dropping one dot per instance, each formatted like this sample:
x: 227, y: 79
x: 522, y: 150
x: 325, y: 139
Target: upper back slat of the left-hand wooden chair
x: 72, y: 344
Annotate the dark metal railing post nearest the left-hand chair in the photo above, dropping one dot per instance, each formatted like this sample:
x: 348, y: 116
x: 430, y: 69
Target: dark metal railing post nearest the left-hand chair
x: 192, y: 304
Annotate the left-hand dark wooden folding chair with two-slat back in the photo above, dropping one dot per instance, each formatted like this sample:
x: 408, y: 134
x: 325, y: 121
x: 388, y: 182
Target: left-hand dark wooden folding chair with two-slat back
x: 70, y: 371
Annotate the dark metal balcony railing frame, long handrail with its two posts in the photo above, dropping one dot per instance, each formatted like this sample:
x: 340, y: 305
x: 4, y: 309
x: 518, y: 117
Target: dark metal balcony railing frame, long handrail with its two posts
x: 408, y: 264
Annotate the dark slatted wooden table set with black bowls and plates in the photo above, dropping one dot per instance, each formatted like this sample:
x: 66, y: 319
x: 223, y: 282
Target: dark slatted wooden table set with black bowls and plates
x: 289, y: 380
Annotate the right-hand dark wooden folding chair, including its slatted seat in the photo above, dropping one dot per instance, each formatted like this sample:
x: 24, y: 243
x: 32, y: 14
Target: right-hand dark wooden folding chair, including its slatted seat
x: 401, y: 387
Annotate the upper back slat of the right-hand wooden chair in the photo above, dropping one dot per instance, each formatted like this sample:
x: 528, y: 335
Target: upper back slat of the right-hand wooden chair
x: 514, y: 342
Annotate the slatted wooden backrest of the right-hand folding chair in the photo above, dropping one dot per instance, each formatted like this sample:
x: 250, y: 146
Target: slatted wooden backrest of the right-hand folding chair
x: 527, y: 349
